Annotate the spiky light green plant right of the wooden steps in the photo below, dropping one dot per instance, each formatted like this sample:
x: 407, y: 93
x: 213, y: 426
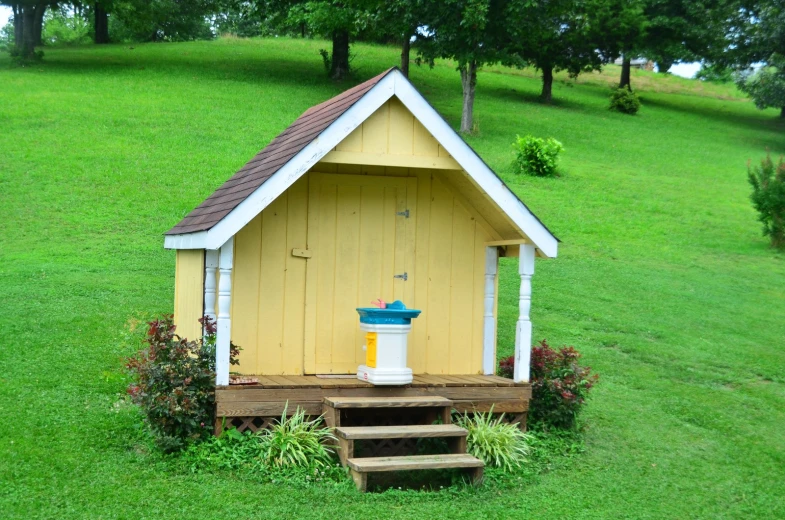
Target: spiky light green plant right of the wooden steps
x: 494, y: 441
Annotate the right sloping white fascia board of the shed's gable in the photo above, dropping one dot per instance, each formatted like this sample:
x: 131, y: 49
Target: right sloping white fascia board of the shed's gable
x: 474, y: 166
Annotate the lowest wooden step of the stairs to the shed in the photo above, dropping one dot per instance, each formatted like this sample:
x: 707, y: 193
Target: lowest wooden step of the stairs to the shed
x: 361, y: 467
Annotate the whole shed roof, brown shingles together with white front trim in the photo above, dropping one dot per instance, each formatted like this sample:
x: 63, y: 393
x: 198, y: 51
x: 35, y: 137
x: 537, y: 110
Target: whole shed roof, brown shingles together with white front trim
x: 311, y: 136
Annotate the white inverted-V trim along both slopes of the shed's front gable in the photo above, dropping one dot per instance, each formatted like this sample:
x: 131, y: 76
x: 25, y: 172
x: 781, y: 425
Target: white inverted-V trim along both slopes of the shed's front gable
x: 396, y: 84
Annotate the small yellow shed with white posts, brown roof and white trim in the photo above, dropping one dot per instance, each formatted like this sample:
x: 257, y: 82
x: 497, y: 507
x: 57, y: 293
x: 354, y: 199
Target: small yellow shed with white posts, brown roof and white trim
x: 368, y: 195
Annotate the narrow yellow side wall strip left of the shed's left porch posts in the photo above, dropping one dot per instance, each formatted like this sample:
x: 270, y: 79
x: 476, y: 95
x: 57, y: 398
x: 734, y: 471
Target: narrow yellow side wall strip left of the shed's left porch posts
x: 189, y: 292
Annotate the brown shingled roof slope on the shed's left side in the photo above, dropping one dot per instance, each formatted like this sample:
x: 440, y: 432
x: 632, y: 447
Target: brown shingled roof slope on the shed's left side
x: 280, y: 150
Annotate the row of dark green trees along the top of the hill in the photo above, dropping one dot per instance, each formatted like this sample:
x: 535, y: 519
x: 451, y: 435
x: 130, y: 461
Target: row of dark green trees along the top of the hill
x: 575, y: 36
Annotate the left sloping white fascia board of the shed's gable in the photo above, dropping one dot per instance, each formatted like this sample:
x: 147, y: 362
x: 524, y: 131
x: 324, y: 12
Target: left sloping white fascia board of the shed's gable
x: 289, y: 172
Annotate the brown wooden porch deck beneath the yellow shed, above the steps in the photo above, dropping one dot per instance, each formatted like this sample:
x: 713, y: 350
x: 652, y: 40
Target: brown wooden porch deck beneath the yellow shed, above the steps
x: 272, y: 394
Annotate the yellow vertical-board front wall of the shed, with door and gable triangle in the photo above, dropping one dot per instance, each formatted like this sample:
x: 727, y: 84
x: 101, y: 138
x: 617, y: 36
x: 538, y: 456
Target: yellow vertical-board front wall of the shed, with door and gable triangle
x: 445, y: 232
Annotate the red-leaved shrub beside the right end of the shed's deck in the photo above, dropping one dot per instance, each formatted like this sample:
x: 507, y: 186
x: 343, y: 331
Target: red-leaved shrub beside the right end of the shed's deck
x: 560, y: 385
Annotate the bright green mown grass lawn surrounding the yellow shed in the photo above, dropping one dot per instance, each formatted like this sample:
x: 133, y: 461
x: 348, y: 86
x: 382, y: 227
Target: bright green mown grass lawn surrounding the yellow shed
x: 663, y: 280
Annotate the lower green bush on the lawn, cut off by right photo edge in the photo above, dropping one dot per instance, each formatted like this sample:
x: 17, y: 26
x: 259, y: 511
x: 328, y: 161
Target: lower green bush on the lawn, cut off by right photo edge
x: 768, y: 197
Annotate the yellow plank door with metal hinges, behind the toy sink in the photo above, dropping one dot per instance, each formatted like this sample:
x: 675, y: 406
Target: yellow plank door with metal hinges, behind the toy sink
x: 361, y: 240
